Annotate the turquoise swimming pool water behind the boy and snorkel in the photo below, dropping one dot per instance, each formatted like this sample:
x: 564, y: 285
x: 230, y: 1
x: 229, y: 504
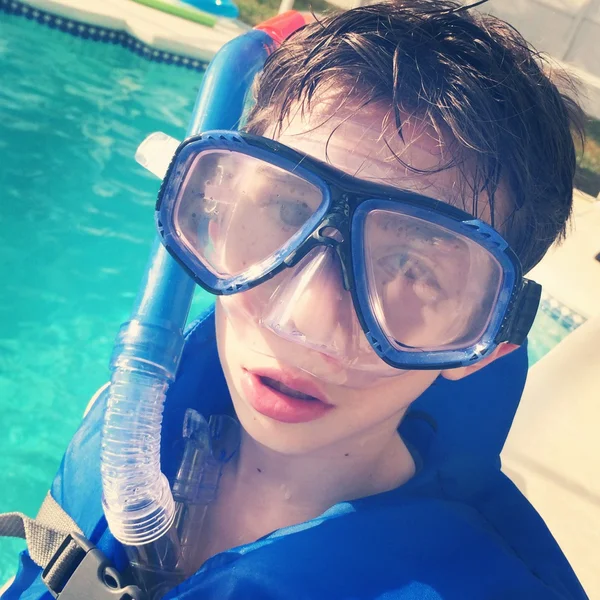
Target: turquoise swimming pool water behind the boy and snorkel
x: 77, y: 221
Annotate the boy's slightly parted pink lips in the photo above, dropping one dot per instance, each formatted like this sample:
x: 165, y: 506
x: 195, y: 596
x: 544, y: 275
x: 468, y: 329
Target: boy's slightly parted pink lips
x: 284, y: 397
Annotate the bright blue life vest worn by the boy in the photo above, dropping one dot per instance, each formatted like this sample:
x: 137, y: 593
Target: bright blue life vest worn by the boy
x: 459, y: 530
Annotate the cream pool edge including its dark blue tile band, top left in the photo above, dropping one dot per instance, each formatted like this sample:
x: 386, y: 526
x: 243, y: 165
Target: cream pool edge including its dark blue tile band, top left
x: 151, y: 34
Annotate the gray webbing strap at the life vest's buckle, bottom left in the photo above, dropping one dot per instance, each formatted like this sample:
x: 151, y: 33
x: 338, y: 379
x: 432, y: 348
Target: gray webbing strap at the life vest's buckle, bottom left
x: 44, y: 536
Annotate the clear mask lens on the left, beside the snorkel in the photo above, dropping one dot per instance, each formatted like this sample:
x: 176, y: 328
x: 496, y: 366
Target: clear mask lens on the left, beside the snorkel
x: 236, y: 212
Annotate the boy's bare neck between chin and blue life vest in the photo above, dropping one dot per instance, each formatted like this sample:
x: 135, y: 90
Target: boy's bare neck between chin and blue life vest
x: 267, y: 490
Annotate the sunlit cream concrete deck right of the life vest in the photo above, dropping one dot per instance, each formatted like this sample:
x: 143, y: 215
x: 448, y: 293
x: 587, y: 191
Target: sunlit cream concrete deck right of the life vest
x: 552, y: 453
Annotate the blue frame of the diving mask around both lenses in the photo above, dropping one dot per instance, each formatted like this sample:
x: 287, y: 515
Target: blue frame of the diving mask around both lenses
x: 347, y: 202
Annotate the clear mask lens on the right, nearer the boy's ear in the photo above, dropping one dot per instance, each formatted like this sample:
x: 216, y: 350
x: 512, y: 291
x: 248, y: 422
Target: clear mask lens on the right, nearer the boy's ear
x: 430, y: 288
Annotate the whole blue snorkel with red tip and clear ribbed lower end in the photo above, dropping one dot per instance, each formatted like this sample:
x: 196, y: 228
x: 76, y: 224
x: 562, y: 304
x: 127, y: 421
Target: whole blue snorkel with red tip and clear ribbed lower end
x: 138, y: 503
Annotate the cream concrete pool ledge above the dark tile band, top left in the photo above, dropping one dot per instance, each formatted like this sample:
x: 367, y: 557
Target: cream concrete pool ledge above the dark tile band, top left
x: 160, y: 30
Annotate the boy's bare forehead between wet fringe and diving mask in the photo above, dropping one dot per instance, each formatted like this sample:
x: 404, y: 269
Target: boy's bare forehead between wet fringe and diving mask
x: 363, y: 144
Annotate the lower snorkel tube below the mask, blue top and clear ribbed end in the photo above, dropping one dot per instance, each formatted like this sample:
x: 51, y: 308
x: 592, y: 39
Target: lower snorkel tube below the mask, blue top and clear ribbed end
x: 137, y: 500
